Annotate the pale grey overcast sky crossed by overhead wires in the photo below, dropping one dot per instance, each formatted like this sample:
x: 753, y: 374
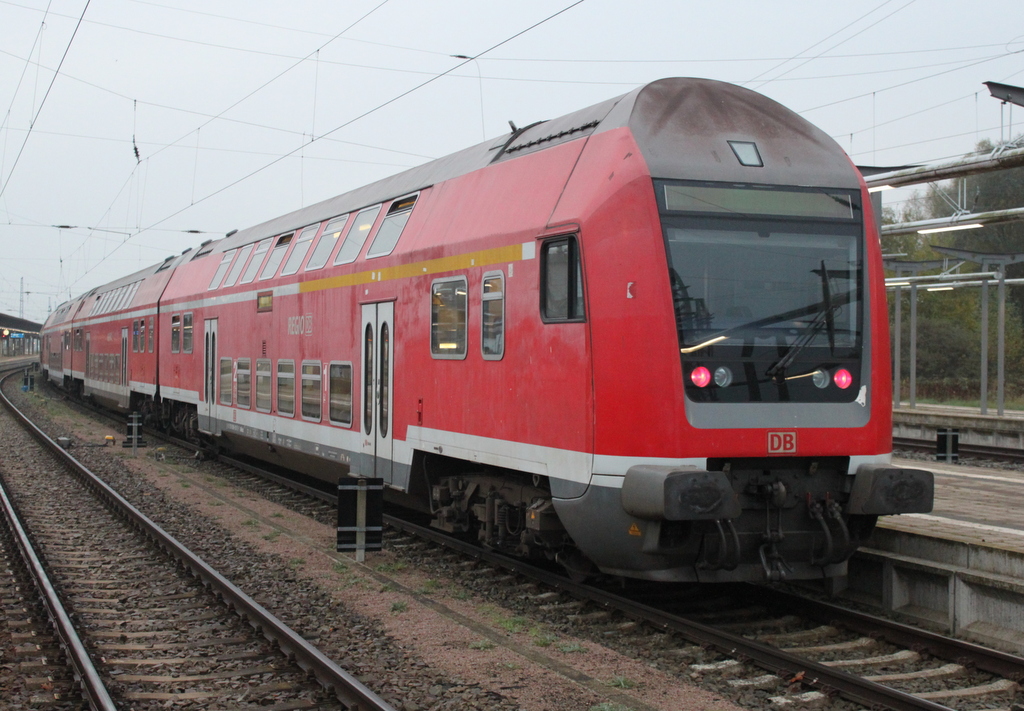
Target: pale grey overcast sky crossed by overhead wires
x: 244, y: 111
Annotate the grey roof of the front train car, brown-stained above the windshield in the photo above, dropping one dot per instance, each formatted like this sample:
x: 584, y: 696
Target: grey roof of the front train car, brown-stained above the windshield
x: 663, y: 115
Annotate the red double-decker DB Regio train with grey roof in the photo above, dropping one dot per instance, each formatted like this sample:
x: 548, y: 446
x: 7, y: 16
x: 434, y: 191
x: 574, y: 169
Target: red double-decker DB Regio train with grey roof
x: 649, y: 339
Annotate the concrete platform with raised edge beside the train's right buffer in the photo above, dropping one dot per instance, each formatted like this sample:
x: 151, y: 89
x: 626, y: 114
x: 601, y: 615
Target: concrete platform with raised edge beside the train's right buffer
x: 959, y: 570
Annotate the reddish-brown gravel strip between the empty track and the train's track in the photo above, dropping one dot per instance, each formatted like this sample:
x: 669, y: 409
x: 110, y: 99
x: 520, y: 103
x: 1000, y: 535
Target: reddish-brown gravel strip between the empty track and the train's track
x: 421, y: 641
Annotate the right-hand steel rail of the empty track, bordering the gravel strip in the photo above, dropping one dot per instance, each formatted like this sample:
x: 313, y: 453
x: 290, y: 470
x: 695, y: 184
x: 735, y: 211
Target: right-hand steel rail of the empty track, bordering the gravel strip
x: 347, y: 688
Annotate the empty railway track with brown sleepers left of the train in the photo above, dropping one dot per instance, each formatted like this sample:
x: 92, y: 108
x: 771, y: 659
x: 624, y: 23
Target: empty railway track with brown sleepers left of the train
x: 165, y: 628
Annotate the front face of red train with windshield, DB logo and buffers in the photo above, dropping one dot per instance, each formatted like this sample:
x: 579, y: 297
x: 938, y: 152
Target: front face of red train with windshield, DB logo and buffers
x: 784, y: 453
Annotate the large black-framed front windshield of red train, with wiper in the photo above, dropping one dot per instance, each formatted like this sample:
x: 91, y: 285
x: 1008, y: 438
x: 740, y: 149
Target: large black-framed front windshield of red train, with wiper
x: 769, y: 282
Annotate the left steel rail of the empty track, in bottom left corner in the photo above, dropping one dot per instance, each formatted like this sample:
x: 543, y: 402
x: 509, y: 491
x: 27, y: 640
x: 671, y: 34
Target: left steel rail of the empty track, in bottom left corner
x: 86, y: 673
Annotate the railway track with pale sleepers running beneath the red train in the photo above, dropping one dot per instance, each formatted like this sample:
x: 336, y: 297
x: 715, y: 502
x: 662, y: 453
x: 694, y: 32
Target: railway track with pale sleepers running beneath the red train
x: 758, y: 646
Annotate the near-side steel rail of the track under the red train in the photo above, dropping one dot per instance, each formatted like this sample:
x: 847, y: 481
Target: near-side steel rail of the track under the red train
x: 826, y: 680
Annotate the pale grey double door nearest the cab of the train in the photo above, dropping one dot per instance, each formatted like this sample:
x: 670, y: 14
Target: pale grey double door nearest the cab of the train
x: 378, y: 377
